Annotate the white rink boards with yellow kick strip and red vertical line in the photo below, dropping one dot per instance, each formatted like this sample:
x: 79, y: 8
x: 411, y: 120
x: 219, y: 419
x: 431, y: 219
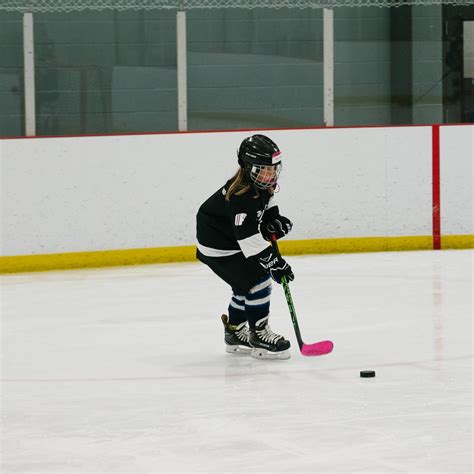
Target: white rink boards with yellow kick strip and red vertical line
x: 115, y: 200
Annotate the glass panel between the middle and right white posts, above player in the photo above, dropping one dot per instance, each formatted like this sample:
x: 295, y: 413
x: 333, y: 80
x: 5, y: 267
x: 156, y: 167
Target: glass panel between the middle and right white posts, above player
x: 254, y: 68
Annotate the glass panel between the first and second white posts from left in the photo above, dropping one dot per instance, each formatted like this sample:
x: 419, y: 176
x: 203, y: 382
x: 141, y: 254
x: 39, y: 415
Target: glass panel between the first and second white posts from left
x: 104, y: 72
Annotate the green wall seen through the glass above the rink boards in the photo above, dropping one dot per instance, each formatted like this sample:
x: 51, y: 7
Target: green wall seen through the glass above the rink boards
x: 114, y: 72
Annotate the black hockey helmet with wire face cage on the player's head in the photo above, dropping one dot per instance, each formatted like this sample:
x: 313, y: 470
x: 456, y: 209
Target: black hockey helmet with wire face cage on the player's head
x: 260, y: 157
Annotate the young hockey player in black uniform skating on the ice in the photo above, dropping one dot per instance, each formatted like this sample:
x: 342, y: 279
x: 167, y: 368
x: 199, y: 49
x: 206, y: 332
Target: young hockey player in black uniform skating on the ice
x: 234, y: 228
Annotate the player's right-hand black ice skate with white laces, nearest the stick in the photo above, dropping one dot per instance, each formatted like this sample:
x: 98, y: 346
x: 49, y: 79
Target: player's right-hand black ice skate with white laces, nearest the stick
x: 266, y: 344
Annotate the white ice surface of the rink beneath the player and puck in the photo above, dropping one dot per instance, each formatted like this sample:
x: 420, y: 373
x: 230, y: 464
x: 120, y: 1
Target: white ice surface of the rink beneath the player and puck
x: 123, y: 370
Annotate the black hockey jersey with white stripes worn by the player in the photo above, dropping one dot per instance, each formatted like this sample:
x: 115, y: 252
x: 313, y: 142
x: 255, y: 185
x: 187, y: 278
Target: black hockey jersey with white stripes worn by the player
x: 226, y: 228
